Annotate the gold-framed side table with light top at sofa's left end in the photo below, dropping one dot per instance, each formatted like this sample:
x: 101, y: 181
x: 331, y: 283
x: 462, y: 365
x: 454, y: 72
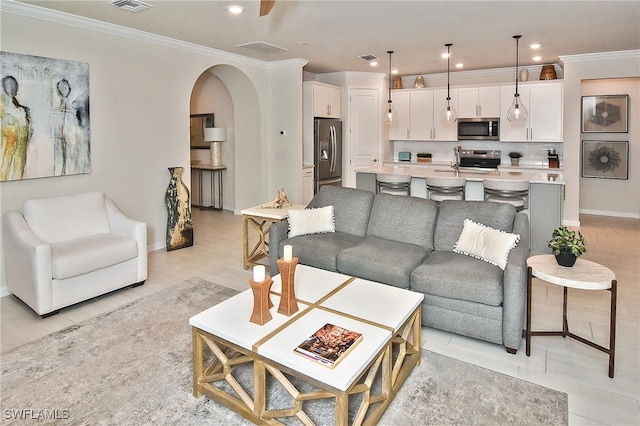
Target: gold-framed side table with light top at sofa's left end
x: 260, y: 220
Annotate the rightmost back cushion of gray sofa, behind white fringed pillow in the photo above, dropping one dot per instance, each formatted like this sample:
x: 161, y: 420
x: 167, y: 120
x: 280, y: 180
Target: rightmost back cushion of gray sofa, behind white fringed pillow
x: 452, y: 214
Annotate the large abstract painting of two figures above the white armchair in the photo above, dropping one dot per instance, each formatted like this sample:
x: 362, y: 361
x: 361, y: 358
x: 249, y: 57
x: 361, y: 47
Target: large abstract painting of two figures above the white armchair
x: 44, y: 112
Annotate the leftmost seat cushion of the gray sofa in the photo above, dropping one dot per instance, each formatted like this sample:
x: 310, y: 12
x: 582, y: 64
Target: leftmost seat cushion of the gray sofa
x: 321, y: 250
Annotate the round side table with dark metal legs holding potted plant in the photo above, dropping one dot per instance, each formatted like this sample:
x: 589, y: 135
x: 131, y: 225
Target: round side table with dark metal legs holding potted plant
x: 584, y: 275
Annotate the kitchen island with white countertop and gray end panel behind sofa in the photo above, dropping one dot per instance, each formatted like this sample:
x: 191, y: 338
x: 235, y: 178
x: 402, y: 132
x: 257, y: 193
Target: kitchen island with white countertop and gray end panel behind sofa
x: 544, y: 204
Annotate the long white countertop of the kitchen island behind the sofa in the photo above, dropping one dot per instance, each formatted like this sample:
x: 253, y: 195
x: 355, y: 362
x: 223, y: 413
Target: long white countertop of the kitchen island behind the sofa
x: 553, y: 176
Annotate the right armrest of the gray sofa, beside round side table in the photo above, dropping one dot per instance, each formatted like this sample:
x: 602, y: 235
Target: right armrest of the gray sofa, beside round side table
x: 515, y: 285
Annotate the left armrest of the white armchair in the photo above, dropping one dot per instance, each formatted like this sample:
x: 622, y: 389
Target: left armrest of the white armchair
x: 27, y: 261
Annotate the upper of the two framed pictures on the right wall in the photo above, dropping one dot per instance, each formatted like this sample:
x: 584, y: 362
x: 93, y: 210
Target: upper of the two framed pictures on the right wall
x: 605, y: 114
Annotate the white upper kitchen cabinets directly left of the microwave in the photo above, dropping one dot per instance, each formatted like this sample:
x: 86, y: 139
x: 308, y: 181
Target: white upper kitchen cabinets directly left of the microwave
x: 419, y: 116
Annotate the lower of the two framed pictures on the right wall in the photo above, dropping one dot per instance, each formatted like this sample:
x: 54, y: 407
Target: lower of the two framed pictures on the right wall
x: 605, y: 159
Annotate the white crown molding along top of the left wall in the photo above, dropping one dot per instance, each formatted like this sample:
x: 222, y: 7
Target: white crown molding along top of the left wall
x: 37, y: 12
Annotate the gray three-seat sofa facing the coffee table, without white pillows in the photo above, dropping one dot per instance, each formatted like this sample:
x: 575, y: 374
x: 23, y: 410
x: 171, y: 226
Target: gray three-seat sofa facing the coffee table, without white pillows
x: 408, y: 242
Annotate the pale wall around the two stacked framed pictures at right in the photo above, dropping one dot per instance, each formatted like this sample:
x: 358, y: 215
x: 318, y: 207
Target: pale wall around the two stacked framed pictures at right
x: 615, y: 197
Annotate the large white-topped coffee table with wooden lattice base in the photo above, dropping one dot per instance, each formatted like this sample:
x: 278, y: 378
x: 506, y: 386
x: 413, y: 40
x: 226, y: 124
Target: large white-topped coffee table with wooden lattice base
x: 389, y: 319
